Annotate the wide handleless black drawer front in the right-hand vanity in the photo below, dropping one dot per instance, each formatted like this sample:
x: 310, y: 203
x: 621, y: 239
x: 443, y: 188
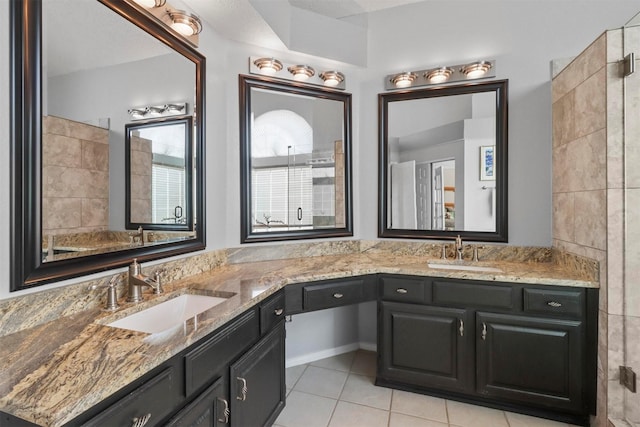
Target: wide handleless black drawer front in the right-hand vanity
x: 474, y: 294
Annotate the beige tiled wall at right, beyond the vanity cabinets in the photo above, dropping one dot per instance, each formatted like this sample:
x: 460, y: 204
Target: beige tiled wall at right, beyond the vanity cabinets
x: 588, y: 192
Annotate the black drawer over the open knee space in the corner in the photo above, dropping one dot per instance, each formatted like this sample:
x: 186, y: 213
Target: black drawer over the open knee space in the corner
x: 334, y: 294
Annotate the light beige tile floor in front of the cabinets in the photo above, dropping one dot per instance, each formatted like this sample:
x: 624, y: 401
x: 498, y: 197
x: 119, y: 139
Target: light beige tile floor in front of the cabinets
x: 340, y: 392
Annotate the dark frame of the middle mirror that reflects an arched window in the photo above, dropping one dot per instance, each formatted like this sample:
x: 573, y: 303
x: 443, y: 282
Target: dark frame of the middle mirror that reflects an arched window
x: 246, y: 83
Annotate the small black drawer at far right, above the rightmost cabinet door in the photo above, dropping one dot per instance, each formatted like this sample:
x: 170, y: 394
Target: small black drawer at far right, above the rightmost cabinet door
x: 552, y: 301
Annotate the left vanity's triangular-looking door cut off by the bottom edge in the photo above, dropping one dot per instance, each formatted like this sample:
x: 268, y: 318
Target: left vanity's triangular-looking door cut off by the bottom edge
x: 209, y: 409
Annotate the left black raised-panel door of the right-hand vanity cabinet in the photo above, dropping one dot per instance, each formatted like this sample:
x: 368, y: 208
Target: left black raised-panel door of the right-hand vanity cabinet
x: 426, y: 346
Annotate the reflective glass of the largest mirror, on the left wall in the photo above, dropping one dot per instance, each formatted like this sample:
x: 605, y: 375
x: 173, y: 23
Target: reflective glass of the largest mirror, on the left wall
x: 89, y: 83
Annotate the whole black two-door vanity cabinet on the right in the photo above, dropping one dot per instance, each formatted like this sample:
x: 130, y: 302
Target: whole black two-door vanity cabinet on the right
x: 521, y: 347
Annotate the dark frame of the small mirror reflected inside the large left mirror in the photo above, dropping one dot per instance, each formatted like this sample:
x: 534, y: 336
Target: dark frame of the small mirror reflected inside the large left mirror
x: 188, y: 154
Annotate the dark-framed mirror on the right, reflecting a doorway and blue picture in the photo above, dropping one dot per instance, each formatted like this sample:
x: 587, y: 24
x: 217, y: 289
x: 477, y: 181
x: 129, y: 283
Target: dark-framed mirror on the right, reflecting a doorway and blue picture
x: 443, y: 162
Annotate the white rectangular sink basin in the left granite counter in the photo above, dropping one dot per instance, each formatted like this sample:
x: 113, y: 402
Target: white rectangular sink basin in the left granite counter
x: 168, y: 314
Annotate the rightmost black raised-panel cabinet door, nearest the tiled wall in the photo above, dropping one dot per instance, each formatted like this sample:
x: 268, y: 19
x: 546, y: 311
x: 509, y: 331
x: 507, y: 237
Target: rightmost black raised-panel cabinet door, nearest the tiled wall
x: 532, y: 360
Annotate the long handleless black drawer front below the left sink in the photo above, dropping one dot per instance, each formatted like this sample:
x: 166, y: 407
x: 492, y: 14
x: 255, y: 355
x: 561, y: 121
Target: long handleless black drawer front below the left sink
x: 209, y: 360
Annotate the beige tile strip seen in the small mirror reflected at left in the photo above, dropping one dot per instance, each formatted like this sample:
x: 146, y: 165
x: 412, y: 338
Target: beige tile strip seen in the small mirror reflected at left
x: 141, y: 170
